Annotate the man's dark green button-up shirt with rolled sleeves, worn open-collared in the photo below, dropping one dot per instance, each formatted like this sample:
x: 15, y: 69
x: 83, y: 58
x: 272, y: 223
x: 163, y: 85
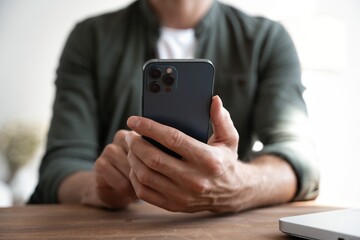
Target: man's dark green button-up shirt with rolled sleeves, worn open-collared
x: 99, y: 84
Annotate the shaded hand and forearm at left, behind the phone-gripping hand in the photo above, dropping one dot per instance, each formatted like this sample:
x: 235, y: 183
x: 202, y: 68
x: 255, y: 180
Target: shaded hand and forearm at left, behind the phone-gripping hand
x: 108, y: 185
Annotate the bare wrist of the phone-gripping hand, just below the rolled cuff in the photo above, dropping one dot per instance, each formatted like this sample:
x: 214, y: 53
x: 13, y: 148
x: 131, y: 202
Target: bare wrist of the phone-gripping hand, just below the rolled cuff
x: 267, y: 180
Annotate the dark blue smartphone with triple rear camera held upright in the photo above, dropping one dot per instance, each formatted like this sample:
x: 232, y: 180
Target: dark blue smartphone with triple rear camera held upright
x: 178, y: 93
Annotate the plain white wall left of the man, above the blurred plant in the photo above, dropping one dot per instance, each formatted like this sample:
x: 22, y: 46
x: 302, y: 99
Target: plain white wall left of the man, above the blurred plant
x: 32, y: 34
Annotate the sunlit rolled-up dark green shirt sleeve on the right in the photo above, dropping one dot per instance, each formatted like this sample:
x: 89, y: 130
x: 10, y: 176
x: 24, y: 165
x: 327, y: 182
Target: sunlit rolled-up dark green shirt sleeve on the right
x: 281, y: 121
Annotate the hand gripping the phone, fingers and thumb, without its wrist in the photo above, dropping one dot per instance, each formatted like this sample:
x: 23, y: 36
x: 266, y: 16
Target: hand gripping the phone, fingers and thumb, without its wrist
x: 205, y: 178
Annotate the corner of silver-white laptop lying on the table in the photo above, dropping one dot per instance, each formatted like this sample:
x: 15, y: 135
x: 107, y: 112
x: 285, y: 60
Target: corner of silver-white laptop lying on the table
x: 338, y: 225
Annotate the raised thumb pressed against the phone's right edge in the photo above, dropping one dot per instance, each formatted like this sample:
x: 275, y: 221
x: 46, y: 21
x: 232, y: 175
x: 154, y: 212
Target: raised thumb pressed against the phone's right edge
x: 224, y: 131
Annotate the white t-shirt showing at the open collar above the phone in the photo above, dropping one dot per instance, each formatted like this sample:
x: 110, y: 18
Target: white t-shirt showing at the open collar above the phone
x: 176, y: 43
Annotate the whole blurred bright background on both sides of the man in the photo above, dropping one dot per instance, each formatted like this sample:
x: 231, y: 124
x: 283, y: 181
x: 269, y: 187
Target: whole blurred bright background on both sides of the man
x: 326, y: 34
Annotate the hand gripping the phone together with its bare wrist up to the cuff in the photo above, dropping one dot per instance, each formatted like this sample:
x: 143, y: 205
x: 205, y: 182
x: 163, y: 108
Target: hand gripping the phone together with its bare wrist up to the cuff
x: 209, y: 176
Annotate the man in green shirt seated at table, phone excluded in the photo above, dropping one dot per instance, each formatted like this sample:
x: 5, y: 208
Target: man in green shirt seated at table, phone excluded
x: 97, y: 108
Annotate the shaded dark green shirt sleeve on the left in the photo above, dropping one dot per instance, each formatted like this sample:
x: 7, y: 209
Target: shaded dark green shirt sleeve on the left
x: 72, y: 138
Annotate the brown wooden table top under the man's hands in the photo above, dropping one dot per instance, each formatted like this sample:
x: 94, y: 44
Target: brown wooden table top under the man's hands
x: 143, y: 221
